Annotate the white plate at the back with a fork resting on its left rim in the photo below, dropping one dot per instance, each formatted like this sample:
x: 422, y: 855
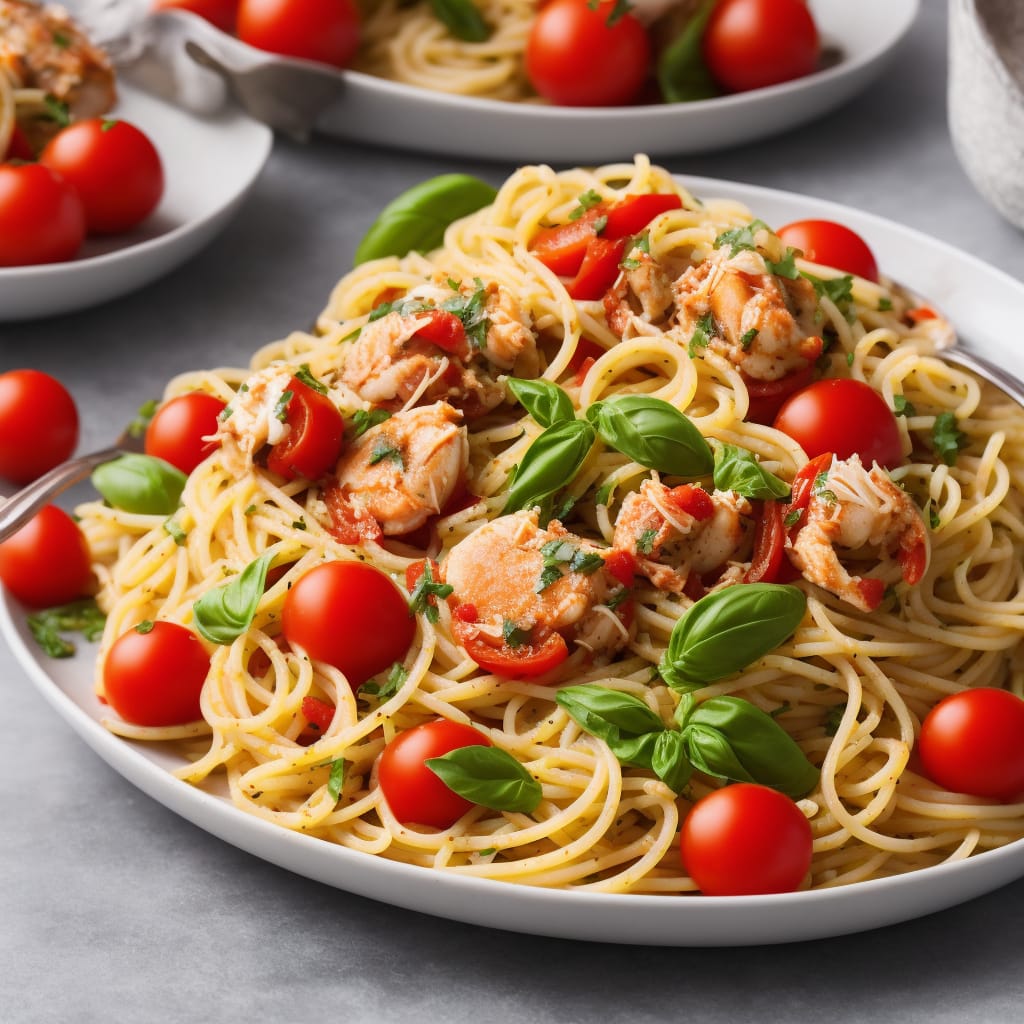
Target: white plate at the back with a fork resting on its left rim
x: 373, y: 110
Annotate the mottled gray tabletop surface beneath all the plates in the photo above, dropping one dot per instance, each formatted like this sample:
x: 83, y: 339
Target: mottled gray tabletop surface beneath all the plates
x: 112, y: 909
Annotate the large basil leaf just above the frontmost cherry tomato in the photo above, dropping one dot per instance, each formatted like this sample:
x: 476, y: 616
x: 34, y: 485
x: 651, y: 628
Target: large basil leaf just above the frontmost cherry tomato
x: 732, y: 739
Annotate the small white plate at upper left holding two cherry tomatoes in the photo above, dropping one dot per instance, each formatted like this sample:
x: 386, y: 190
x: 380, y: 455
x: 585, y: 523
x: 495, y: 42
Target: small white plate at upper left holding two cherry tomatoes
x: 209, y: 166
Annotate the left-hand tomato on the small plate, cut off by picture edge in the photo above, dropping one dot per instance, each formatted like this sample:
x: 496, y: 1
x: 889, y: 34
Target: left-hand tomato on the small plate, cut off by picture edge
x: 42, y: 220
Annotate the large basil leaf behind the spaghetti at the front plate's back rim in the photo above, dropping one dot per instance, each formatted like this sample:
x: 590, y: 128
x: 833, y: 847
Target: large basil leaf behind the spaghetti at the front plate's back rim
x: 418, y: 219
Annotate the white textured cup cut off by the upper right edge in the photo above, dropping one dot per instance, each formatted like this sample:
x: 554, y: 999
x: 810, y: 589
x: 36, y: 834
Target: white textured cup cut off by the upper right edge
x: 987, y: 99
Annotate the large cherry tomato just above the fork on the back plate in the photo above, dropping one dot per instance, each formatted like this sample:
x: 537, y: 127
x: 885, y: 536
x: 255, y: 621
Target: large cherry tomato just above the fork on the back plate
x: 327, y: 31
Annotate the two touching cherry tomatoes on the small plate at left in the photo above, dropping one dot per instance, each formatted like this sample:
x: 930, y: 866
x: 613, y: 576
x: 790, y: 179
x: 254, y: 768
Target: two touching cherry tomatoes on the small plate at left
x: 97, y: 177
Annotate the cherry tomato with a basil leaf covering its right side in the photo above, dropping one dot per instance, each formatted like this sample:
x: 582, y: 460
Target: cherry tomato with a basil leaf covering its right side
x: 415, y: 794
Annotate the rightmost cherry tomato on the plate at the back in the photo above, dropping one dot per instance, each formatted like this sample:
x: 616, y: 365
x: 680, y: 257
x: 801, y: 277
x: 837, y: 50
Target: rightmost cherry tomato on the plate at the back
x: 749, y: 45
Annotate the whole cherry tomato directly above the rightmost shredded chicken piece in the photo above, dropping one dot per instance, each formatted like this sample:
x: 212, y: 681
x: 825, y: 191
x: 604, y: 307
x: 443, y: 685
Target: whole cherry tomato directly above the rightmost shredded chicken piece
x: 843, y: 416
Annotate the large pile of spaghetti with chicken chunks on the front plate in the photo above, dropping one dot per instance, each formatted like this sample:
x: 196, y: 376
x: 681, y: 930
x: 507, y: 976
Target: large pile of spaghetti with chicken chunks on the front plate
x: 885, y: 631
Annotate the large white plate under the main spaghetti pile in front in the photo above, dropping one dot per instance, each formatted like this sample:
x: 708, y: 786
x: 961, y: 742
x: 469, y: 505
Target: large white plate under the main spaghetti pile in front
x: 973, y: 294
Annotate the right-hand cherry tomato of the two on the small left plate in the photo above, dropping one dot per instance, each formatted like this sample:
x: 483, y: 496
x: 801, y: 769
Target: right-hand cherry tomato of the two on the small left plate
x: 115, y: 169
